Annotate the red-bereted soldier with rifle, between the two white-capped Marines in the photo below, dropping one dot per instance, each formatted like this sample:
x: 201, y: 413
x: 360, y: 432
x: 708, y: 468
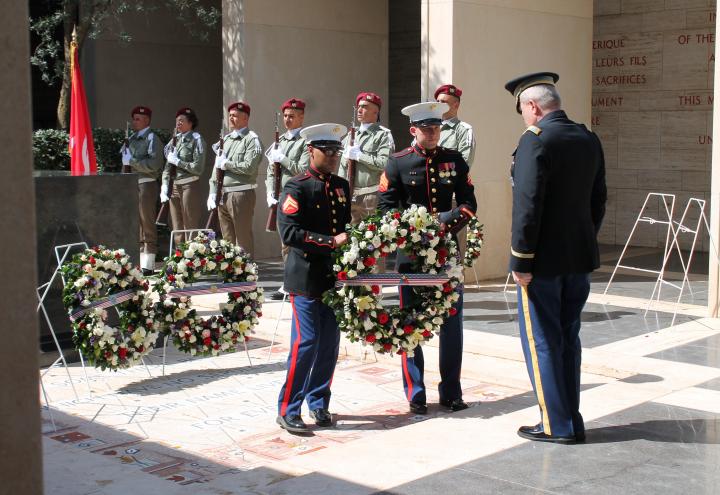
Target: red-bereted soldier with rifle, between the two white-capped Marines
x: 371, y: 150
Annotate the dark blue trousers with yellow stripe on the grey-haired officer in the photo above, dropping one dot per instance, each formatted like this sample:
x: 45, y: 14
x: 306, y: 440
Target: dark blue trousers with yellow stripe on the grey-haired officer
x: 549, y: 311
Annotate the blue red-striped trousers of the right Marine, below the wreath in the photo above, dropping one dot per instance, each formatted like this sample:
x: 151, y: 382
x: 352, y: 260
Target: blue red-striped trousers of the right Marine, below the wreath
x: 450, y: 350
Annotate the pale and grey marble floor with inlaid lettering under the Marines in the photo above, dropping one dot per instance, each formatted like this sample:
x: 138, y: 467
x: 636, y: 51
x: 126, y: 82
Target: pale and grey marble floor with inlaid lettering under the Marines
x: 651, y: 401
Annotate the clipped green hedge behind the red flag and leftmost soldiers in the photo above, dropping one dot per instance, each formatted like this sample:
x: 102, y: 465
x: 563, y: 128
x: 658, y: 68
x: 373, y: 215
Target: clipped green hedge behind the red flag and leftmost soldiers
x: 50, y: 148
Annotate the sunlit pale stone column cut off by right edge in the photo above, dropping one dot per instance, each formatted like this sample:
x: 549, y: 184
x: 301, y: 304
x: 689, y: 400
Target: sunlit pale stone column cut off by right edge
x: 714, y: 270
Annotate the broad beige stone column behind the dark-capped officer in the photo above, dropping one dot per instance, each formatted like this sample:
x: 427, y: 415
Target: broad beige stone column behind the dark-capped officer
x: 478, y: 45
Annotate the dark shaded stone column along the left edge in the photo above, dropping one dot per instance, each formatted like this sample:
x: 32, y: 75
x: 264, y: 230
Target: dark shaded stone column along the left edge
x: 20, y: 449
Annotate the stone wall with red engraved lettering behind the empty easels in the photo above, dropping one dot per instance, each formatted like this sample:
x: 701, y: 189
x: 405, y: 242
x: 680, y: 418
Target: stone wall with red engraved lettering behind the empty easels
x: 652, y: 100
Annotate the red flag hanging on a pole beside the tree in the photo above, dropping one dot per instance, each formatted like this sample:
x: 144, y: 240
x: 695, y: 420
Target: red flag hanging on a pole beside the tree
x: 82, y: 149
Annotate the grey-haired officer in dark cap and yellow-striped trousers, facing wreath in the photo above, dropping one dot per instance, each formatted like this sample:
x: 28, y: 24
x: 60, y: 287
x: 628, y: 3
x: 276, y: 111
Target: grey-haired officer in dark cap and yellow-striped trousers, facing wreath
x: 559, y: 196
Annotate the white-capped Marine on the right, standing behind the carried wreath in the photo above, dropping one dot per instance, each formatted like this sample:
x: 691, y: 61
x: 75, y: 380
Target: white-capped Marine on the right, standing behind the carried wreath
x: 428, y: 175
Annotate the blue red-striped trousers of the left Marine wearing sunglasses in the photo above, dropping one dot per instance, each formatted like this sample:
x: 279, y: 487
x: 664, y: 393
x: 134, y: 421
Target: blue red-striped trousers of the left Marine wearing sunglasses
x: 314, y: 344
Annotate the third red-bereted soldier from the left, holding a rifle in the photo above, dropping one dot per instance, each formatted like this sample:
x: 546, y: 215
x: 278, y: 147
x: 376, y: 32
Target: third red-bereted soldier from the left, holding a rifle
x: 240, y: 157
